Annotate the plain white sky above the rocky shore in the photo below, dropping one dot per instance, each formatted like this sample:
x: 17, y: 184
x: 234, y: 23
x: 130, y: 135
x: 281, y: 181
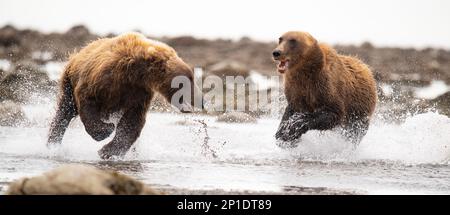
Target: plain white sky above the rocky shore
x: 416, y: 23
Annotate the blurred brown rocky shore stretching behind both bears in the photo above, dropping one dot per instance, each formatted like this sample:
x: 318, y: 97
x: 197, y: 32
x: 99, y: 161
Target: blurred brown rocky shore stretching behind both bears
x: 30, y: 62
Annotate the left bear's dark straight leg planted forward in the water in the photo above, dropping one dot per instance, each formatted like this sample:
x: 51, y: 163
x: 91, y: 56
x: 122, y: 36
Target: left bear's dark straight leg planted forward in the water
x: 128, y: 130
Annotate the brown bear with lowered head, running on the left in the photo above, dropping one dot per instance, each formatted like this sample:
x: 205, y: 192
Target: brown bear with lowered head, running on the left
x: 119, y: 75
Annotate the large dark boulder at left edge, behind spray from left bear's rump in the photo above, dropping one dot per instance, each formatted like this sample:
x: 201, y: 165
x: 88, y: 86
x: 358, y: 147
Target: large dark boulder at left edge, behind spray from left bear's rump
x: 25, y: 79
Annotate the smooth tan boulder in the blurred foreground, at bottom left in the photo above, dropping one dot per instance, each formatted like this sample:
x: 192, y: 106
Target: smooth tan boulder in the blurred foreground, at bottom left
x: 76, y: 179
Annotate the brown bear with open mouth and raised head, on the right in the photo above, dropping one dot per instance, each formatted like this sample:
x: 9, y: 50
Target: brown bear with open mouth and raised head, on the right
x: 323, y: 89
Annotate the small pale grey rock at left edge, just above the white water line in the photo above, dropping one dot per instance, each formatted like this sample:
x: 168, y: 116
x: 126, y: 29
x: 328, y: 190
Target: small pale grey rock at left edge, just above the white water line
x: 11, y: 114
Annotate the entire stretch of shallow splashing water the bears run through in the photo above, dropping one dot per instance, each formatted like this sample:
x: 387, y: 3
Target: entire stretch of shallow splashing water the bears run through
x: 196, y: 152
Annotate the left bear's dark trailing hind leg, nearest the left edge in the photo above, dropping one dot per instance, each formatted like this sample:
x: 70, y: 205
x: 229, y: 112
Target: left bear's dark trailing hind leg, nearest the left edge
x: 65, y: 113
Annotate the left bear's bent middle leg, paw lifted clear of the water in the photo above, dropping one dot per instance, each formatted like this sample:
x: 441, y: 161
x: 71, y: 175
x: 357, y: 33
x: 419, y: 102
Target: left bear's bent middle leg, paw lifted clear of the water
x: 94, y: 126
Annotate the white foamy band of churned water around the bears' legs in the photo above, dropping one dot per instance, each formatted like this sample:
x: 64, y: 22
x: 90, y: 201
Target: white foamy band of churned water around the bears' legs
x: 420, y: 139
